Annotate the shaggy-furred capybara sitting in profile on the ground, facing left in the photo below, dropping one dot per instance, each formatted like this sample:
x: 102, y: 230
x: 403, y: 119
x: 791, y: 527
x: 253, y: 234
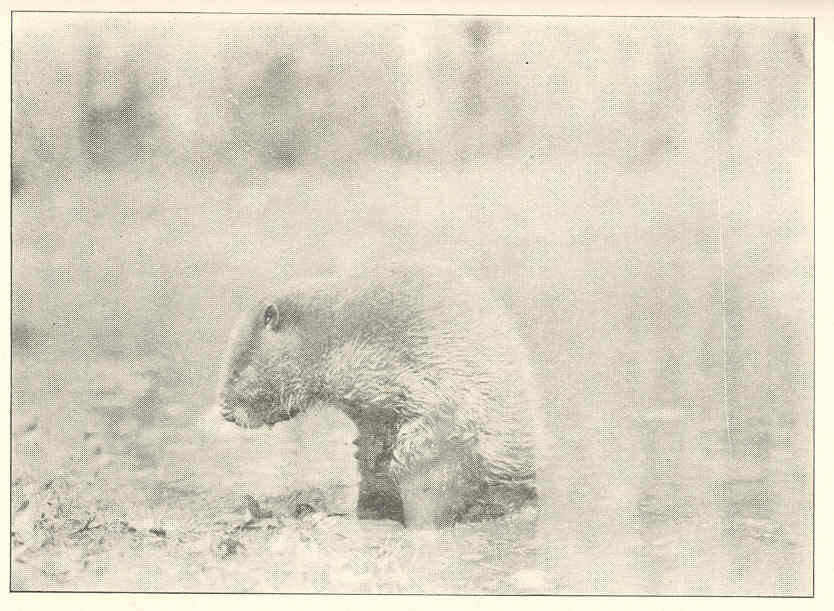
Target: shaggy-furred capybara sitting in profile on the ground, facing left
x: 427, y: 365
